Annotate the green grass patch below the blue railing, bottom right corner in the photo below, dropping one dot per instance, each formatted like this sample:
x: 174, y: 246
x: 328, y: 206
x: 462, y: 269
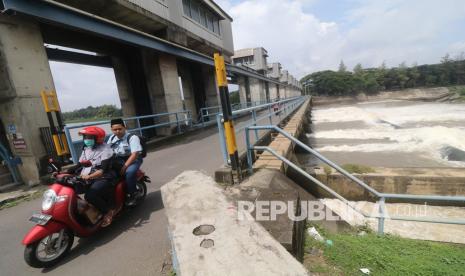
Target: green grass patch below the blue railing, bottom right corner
x: 386, y: 255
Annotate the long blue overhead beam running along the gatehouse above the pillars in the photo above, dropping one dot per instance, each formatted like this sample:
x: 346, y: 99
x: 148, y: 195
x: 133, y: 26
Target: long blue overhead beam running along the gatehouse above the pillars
x: 56, y: 13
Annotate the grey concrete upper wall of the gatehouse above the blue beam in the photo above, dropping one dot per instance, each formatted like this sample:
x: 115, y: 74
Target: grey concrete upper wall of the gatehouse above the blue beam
x: 165, y: 19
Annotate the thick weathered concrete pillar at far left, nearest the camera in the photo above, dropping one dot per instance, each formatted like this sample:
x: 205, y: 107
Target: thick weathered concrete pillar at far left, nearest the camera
x: 24, y: 73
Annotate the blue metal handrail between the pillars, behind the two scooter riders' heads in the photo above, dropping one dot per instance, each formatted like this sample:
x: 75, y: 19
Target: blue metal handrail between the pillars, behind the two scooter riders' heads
x: 183, y: 116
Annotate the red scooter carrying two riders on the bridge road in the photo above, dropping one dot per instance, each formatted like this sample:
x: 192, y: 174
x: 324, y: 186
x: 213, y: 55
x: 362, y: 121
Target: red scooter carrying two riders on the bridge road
x: 66, y: 214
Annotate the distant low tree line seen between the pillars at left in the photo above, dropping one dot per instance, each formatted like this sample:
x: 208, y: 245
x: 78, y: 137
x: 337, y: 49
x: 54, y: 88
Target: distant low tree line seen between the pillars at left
x: 99, y: 112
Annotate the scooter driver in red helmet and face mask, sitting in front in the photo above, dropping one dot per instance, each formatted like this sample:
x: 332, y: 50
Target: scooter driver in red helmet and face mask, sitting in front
x: 95, y: 167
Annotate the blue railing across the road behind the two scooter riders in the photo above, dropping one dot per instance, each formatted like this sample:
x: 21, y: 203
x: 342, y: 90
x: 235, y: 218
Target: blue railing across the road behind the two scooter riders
x: 177, y: 119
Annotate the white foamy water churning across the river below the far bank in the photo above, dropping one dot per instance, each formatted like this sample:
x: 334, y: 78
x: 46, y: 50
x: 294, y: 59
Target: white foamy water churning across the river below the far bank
x: 406, y: 127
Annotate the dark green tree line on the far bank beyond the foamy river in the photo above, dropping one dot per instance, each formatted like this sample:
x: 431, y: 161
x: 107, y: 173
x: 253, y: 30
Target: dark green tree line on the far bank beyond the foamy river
x: 450, y: 71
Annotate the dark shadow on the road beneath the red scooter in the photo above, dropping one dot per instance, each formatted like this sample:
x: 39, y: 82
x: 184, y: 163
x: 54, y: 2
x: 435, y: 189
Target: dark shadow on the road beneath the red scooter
x: 127, y: 220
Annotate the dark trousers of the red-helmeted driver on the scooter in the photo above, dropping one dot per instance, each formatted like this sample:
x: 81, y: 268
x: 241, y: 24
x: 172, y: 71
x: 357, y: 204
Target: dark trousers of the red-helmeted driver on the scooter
x: 100, y: 194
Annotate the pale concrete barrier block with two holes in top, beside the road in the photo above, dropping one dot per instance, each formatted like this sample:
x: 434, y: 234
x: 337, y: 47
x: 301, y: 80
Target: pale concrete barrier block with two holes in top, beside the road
x: 209, y: 239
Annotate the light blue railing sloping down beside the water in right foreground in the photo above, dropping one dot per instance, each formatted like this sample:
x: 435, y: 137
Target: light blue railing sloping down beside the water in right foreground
x: 382, y: 196
